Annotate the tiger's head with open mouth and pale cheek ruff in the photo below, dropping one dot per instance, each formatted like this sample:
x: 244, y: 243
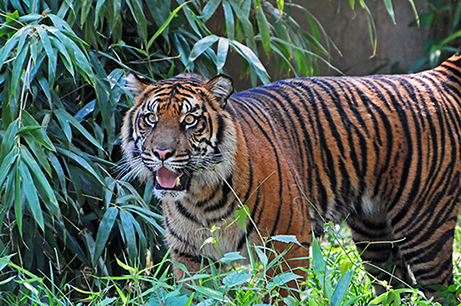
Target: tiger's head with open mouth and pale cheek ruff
x: 178, y: 133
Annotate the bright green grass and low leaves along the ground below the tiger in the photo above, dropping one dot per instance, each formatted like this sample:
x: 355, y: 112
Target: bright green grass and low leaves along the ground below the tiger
x: 335, y: 277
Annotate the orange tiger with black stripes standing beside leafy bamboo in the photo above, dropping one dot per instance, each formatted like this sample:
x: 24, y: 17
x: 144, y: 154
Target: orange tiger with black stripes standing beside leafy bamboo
x: 380, y: 152
